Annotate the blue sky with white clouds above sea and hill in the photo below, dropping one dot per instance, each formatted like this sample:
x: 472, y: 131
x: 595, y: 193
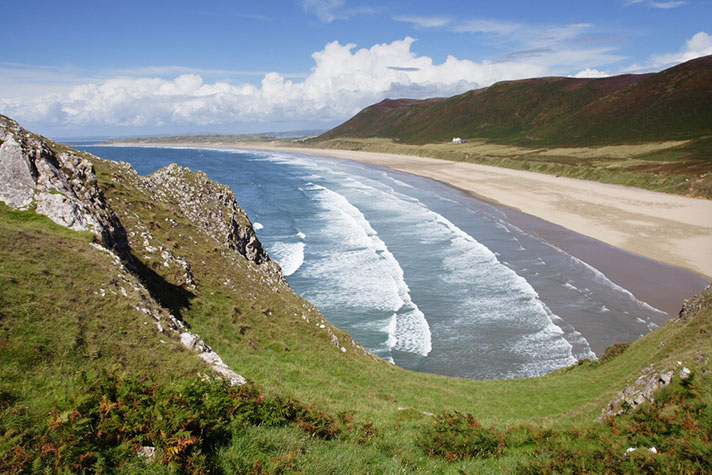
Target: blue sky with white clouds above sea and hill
x: 105, y: 68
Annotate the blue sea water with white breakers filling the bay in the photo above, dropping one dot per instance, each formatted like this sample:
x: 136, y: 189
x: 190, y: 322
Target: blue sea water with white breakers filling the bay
x: 421, y: 274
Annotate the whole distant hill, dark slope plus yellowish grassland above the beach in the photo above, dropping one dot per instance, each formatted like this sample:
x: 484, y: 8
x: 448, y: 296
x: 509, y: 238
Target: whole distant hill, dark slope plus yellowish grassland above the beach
x: 652, y: 131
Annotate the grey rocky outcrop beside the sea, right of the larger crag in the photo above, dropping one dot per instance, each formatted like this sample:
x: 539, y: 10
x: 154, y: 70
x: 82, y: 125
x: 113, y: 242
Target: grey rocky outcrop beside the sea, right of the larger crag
x: 212, y: 207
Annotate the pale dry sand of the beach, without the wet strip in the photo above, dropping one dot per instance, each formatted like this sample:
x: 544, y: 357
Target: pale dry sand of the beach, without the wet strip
x: 668, y: 228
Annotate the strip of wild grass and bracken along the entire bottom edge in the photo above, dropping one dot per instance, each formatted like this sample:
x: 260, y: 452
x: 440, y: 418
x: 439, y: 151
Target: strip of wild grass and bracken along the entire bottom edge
x: 136, y: 424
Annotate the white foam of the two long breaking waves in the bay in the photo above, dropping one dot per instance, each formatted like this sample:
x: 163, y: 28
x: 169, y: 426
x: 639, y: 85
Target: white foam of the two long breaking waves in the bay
x: 366, y: 273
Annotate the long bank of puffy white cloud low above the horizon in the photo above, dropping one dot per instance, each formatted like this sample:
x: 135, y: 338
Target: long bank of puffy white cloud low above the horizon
x: 343, y: 80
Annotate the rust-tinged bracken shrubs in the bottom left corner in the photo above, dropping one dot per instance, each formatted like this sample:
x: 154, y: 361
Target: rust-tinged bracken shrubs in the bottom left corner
x: 110, y: 418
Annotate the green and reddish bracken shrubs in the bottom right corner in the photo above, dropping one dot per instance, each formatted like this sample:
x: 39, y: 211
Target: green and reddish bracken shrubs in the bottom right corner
x: 678, y: 424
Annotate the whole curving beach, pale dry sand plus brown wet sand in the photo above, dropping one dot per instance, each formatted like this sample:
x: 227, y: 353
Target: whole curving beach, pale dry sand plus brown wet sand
x: 657, y: 246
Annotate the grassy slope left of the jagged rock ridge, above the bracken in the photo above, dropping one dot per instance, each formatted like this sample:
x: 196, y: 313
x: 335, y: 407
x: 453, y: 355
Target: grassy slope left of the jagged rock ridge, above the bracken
x: 54, y: 324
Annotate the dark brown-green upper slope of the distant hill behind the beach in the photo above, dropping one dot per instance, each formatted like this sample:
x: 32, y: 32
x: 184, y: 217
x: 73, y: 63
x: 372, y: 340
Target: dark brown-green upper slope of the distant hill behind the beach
x: 675, y: 104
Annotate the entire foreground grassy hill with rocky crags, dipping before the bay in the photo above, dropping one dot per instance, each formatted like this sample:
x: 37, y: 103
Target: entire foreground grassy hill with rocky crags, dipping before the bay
x: 134, y: 308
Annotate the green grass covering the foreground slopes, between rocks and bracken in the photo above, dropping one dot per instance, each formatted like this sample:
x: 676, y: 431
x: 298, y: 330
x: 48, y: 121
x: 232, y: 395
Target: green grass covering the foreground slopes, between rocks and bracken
x: 56, y: 327
